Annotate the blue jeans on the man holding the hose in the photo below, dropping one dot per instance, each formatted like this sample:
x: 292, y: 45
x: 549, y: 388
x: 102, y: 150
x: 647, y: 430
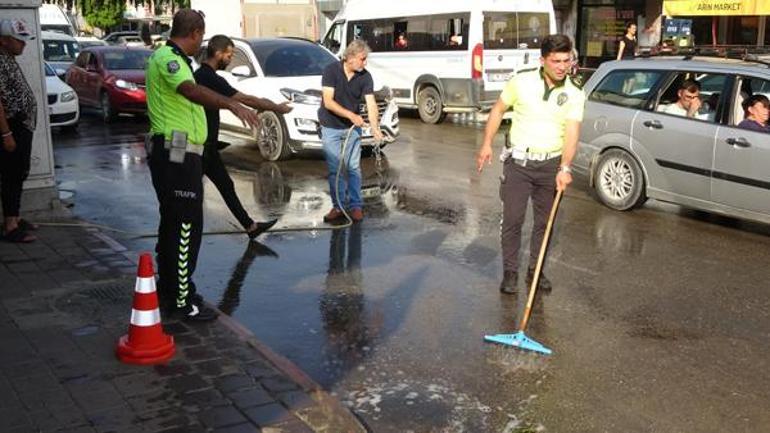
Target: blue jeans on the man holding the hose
x: 350, y: 179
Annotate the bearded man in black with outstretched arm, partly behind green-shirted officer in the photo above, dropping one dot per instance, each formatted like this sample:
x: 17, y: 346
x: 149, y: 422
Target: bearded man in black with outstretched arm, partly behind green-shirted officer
x: 219, y: 53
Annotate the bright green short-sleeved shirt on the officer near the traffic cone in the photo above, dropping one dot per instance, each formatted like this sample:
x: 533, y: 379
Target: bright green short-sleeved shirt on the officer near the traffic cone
x: 169, y: 111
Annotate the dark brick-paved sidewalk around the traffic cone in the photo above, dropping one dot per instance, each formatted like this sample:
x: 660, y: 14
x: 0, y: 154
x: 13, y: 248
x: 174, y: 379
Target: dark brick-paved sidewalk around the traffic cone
x: 64, y: 302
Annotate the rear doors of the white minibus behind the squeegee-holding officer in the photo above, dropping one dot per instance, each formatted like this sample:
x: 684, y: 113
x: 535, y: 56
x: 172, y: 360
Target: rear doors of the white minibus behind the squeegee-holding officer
x: 511, y: 43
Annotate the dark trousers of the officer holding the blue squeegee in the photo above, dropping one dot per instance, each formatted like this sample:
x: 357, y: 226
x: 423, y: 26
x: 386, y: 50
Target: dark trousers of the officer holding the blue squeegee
x: 538, y: 181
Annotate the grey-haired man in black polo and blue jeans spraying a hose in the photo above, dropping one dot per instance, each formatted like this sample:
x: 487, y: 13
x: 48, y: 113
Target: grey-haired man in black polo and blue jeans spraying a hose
x: 345, y: 85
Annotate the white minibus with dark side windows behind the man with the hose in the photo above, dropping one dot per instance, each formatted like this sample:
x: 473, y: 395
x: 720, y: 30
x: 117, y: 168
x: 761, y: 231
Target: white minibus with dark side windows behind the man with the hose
x: 444, y: 57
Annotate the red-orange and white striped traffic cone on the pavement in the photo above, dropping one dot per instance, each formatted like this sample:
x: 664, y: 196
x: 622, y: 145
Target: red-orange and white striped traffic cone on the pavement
x: 145, y: 342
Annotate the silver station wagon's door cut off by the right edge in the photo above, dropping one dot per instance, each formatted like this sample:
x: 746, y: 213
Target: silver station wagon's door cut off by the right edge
x: 741, y: 178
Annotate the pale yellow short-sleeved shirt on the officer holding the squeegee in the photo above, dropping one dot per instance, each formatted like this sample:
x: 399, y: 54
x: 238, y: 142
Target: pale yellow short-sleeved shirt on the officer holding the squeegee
x: 540, y: 114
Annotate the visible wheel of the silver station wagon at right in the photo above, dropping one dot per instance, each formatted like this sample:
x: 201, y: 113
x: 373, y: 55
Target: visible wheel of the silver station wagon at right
x: 618, y: 180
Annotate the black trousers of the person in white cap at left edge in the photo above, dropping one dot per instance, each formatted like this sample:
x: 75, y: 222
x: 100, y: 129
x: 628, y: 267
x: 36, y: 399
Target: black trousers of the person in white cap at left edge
x: 14, y: 168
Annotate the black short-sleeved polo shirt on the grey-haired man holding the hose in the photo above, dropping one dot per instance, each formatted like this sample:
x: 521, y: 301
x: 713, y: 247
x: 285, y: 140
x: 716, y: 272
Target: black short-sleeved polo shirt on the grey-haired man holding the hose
x: 348, y: 93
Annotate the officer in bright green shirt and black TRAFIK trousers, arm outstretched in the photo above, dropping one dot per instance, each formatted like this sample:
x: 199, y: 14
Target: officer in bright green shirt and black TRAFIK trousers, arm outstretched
x: 175, y: 146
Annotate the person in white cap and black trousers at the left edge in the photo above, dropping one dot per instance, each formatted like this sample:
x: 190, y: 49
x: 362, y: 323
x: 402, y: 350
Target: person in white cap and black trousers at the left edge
x: 18, y: 116
